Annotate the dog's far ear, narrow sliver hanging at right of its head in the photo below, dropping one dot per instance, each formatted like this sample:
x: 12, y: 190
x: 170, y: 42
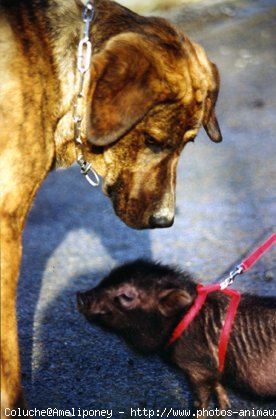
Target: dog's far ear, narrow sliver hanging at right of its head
x: 210, y: 121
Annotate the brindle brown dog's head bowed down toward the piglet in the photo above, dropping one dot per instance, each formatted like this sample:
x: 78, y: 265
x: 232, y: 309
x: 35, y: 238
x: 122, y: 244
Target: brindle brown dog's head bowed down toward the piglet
x: 149, y: 95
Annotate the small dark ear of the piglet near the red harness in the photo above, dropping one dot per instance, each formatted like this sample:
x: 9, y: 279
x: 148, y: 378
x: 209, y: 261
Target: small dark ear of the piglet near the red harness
x: 173, y: 301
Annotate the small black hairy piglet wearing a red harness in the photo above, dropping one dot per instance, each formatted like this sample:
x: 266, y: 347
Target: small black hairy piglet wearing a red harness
x: 144, y: 301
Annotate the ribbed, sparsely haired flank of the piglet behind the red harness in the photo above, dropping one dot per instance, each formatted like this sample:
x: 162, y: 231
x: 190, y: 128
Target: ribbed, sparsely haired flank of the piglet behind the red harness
x: 251, y: 354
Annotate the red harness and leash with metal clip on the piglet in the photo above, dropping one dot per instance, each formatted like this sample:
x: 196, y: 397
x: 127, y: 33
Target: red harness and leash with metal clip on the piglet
x: 203, y: 291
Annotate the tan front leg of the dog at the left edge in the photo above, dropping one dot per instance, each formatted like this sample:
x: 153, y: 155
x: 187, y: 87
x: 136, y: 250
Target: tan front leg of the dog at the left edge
x: 11, y: 392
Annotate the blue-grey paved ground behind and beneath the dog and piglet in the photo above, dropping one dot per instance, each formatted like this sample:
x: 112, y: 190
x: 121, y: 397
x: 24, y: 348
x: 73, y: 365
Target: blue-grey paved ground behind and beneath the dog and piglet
x: 225, y: 206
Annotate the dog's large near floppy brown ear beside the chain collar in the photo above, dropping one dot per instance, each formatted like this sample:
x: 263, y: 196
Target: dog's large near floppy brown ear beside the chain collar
x: 124, y: 86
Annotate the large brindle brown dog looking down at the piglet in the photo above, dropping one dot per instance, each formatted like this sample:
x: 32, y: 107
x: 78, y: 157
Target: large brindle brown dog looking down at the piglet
x: 149, y: 89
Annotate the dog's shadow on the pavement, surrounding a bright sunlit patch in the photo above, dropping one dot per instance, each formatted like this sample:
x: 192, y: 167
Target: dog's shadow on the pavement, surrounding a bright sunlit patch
x: 72, y: 238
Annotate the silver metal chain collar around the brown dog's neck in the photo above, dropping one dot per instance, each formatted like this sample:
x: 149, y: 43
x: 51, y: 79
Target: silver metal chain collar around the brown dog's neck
x: 83, y: 65
